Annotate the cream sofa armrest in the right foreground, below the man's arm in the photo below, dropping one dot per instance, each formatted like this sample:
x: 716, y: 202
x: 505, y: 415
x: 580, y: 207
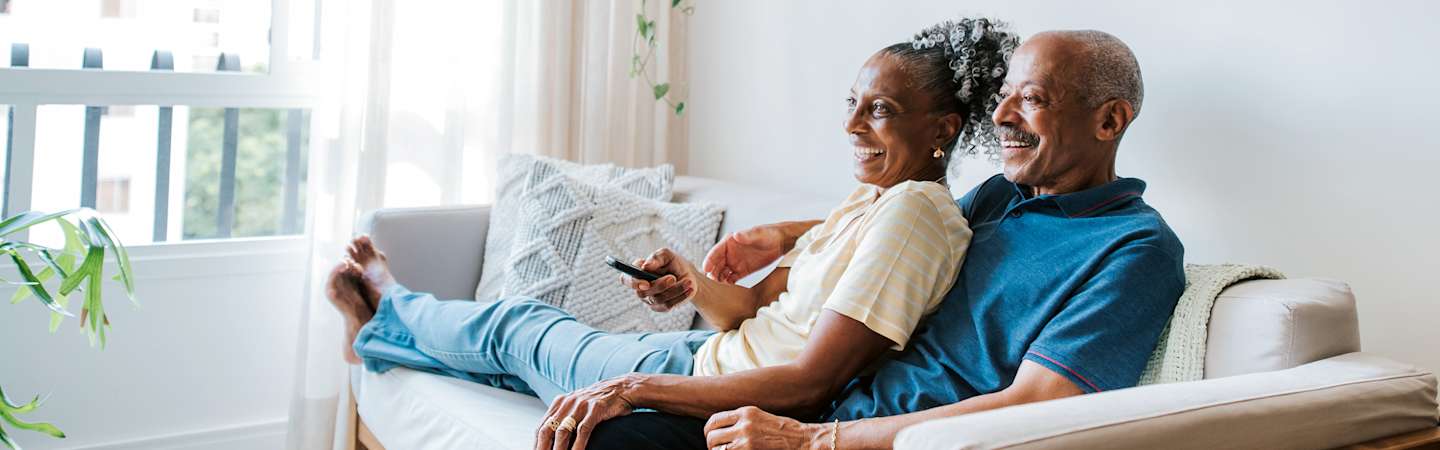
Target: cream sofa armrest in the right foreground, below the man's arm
x: 1330, y: 403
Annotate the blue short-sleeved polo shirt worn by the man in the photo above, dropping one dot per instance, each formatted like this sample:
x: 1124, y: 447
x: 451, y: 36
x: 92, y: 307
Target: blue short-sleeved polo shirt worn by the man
x: 1081, y: 283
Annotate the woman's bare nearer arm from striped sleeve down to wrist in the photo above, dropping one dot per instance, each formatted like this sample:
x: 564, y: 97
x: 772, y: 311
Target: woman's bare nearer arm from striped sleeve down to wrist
x: 837, y: 351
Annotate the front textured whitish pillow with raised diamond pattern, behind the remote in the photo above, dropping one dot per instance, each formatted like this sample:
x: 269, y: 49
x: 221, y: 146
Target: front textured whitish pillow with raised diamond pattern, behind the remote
x: 565, y: 231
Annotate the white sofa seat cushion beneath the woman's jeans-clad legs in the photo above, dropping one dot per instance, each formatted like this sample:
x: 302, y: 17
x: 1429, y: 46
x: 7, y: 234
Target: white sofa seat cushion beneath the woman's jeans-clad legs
x: 415, y: 410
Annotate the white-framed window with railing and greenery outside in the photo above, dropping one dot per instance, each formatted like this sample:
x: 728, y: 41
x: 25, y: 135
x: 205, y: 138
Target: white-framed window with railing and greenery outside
x: 163, y: 156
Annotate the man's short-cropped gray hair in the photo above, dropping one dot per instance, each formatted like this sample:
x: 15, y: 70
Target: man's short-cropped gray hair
x: 1111, y: 70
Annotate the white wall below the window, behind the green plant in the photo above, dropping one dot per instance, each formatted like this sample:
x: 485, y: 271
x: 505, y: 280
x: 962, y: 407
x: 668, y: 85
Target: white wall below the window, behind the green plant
x: 205, y: 363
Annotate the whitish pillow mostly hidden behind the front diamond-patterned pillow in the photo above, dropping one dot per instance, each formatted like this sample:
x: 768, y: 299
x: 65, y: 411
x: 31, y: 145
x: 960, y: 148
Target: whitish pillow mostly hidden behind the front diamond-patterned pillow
x: 516, y: 169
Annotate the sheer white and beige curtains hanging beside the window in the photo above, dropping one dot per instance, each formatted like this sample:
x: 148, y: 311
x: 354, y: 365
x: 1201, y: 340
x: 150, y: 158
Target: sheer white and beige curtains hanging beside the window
x: 427, y: 94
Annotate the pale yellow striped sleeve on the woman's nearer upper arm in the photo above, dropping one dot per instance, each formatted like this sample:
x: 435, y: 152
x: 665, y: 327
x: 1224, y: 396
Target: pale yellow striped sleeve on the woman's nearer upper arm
x: 892, y: 279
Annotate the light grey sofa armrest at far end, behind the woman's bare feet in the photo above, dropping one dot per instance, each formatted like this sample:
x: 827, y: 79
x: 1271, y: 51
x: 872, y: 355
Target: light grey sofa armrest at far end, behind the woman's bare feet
x: 433, y: 250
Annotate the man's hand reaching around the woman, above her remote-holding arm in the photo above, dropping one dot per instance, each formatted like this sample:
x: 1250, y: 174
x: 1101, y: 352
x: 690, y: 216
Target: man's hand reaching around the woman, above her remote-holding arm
x: 744, y: 253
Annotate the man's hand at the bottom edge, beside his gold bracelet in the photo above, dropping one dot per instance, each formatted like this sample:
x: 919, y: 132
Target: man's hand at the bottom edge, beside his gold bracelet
x: 751, y: 428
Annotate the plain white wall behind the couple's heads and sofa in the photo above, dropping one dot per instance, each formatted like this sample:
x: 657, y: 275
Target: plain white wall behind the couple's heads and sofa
x: 1285, y: 133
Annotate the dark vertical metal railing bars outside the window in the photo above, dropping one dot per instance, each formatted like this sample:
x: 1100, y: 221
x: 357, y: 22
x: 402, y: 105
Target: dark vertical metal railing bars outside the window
x: 292, y: 216
